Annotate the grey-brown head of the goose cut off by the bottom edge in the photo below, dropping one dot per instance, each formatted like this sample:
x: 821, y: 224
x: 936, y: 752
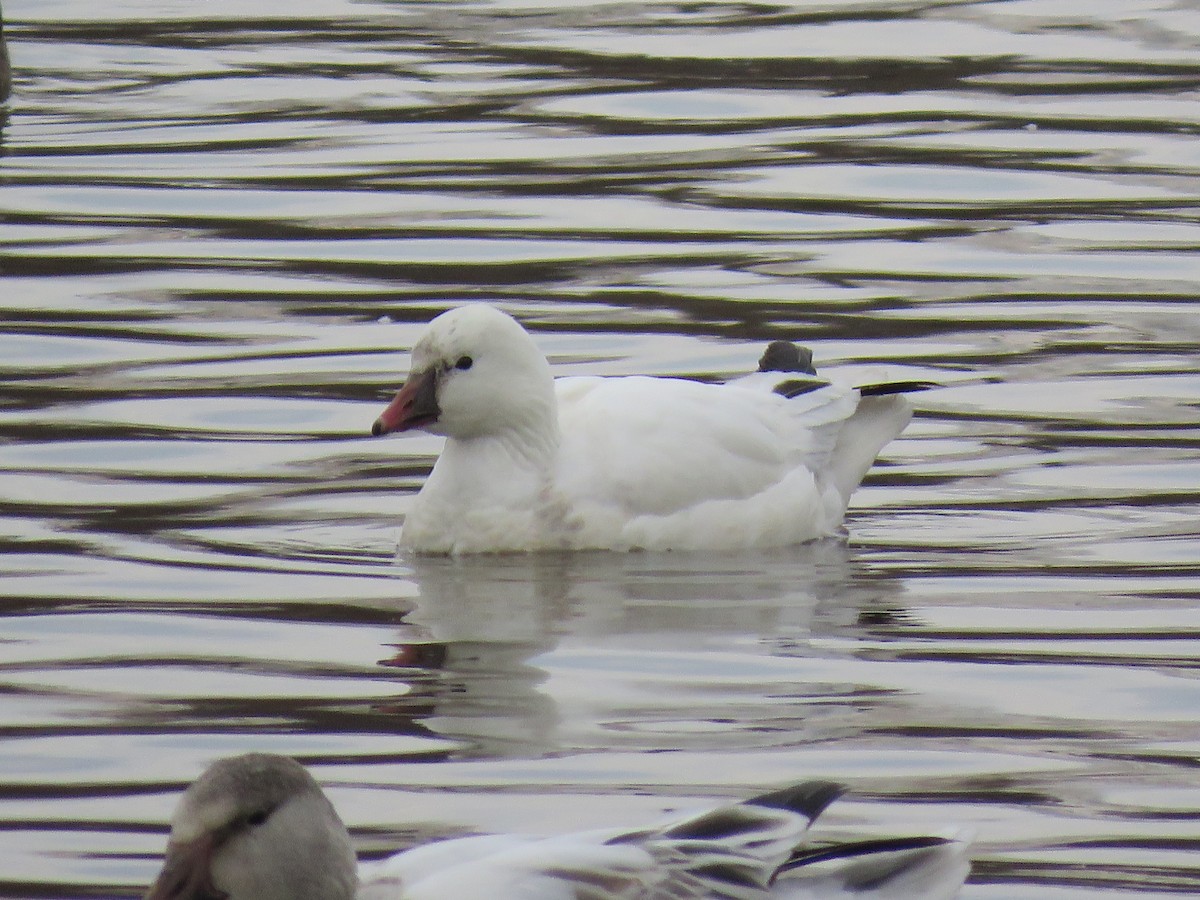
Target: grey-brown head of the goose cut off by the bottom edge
x: 256, y: 827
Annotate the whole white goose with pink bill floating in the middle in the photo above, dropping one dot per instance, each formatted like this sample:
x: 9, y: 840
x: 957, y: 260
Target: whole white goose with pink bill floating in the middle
x: 533, y: 463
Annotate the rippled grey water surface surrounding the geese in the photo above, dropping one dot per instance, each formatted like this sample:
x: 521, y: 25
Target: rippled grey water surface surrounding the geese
x: 221, y: 229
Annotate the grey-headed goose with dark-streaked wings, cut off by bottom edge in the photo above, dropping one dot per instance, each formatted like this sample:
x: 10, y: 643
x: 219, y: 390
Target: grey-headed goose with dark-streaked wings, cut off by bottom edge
x: 259, y: 827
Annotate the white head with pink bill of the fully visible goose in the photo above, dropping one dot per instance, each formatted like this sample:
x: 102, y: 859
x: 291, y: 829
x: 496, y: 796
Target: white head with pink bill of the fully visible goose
x: 476, y: 373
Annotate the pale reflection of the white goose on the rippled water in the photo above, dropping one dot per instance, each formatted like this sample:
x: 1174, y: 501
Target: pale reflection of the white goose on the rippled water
x: 493, y: 641
